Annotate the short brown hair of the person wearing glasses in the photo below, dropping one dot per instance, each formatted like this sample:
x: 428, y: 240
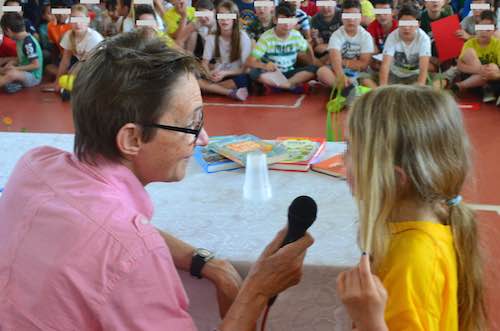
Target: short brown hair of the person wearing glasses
x: 126, y: 79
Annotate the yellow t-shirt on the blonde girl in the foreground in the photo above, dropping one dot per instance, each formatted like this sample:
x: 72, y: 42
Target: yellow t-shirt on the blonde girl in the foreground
x: 420, y: 275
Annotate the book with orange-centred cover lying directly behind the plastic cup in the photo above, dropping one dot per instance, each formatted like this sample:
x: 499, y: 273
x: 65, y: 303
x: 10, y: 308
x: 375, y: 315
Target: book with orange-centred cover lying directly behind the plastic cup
x: 236, y: 148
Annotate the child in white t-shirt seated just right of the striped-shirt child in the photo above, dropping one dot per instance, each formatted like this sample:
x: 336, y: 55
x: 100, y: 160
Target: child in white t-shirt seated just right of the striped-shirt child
x: 350, y: 50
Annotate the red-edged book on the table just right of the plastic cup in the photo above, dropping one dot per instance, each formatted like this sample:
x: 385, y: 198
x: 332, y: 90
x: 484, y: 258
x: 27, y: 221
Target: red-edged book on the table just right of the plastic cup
x: 301, y: 152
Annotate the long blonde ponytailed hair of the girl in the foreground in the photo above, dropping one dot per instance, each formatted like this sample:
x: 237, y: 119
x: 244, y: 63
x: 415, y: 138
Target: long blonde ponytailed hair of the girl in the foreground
x: 420, y: 131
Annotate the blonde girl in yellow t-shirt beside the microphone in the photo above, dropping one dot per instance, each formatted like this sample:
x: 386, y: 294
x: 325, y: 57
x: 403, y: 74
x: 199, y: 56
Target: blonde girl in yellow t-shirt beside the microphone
x: 407, y: 160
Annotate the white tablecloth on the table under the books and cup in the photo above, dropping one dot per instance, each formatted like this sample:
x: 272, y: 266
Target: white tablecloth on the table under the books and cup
x: 207, y: 210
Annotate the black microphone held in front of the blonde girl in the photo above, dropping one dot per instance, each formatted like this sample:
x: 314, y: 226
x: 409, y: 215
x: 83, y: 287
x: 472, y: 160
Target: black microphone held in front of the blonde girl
x: 301, y: 215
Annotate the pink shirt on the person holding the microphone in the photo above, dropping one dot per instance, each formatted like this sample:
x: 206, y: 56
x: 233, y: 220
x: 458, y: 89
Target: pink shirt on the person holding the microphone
x: 77, y: 250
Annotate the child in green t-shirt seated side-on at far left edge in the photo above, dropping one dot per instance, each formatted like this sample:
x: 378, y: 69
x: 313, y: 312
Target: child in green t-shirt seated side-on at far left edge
x: 26, y: 71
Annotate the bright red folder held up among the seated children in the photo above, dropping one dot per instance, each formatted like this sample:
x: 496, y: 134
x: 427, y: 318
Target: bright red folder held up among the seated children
x: 448, y: 45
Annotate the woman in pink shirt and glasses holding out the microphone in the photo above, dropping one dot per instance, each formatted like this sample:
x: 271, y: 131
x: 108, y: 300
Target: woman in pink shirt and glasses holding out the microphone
x: 77, y: 248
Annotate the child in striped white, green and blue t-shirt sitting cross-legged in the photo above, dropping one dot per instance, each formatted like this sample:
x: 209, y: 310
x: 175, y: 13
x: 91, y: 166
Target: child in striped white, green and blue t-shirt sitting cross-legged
x: 277, y: 49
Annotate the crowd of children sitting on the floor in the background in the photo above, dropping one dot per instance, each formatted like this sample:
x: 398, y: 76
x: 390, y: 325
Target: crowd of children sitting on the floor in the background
x: 264, y: 46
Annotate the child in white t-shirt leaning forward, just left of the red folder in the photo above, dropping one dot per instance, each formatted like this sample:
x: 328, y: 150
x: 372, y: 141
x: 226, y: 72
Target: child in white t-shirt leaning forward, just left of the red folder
x: 406, y: 52
